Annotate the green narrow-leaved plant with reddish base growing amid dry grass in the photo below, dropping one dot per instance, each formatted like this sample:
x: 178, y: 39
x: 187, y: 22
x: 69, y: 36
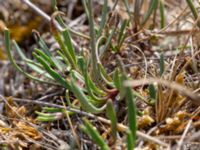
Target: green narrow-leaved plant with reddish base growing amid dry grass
x: 88, y: 80
